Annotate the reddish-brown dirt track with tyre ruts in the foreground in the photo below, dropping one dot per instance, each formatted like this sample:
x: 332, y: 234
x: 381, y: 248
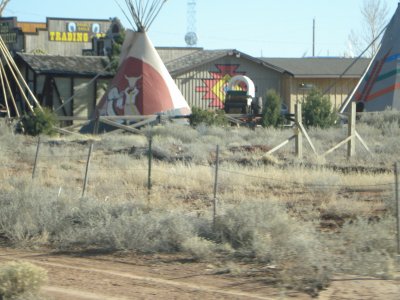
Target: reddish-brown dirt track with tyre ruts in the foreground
x: 127, y: 276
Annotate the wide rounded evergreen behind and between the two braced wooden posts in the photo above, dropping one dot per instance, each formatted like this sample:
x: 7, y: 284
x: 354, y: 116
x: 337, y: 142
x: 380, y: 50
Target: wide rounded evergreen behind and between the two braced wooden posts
x: 317, y: 110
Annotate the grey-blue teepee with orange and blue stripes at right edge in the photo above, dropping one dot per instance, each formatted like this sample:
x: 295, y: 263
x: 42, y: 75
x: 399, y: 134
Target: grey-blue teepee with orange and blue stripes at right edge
x: 380, y: 87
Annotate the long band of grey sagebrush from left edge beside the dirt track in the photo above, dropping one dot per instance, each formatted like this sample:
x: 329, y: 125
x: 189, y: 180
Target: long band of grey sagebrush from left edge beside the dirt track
x: 36, y: 216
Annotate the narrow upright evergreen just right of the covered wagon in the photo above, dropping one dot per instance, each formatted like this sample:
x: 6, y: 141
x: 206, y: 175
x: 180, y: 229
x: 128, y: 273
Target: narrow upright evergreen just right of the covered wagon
x: 271, y: 115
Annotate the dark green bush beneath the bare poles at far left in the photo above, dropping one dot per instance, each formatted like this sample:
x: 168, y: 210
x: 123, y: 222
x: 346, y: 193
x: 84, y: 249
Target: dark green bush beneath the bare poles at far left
x: 39, y: 122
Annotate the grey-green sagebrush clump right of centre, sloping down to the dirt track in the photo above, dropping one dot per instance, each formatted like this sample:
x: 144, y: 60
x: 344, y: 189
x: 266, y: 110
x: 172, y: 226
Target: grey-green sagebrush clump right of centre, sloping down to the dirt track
x: 265, y: 231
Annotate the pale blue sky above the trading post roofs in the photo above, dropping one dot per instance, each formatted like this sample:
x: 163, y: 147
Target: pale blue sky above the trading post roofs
x: 273, y: 28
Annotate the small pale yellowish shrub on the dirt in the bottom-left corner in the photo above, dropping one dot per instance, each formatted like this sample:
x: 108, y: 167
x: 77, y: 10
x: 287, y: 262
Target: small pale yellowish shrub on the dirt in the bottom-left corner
x: 20, y: 279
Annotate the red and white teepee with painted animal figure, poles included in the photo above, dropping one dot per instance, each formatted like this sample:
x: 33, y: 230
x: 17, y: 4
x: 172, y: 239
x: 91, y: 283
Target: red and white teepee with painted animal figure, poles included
x: 142, y: 84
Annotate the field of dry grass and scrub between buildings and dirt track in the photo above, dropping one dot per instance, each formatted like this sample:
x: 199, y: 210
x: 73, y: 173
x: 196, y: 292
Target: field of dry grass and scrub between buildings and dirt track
x: 308, y: 218
